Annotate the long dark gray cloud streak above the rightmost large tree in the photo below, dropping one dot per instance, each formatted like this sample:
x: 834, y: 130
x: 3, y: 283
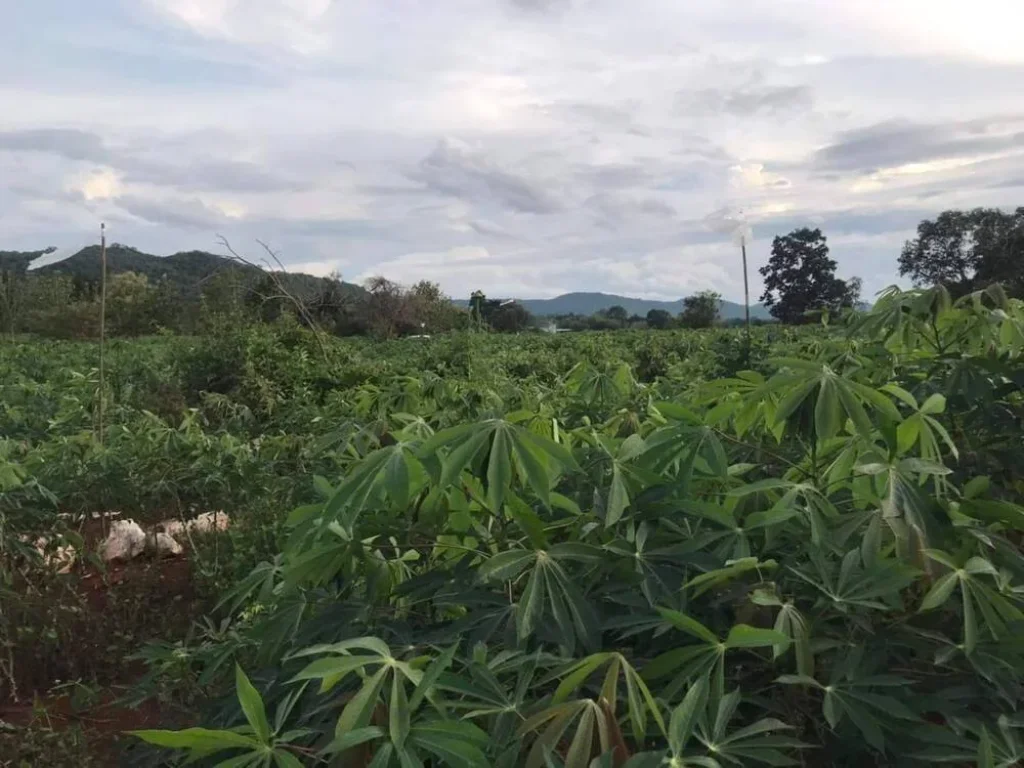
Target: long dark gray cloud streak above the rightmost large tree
x: 899, y: 143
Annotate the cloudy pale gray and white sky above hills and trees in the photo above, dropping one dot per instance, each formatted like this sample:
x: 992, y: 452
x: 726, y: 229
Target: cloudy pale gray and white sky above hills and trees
x: 528, y: 148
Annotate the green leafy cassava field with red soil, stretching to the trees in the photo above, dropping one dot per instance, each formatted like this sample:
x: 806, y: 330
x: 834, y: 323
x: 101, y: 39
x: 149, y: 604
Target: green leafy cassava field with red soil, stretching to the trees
x: 587, y: 550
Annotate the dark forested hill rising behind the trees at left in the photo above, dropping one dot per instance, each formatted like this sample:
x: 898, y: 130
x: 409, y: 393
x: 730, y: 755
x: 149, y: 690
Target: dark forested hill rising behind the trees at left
x: 187, y: 270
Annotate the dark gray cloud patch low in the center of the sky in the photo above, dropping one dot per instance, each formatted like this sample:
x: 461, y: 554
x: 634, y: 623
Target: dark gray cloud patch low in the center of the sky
x: 455, y: 170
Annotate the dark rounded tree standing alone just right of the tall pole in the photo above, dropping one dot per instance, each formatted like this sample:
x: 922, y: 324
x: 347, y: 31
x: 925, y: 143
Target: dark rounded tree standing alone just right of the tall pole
x: 800, y: 278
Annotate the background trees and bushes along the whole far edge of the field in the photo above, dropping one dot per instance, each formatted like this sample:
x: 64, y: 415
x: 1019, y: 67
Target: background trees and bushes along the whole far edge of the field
x: 962, y: 250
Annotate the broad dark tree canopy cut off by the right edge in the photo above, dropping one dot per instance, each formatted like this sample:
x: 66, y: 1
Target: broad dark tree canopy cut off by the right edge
x: 968, y: 250
